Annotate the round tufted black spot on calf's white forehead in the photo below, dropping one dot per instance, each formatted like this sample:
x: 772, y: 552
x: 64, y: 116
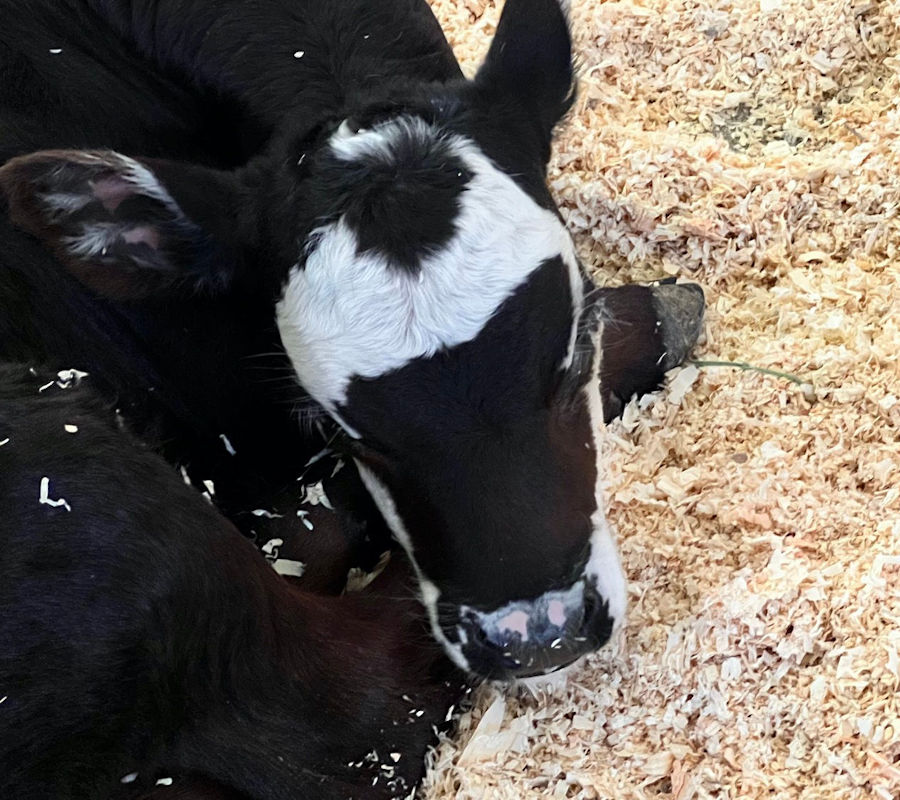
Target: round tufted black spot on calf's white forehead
x: 401, y: 196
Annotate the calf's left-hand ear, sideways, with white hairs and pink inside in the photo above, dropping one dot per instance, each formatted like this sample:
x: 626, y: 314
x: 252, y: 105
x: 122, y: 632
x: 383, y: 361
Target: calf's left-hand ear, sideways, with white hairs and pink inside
x: 116, y: 224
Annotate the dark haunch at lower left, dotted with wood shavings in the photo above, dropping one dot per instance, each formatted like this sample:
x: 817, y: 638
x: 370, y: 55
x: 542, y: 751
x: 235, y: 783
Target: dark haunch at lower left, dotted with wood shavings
x: 141, y: 635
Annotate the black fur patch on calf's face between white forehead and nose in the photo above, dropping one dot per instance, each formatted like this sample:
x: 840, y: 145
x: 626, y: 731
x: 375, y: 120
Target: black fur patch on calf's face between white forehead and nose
x: 498, y: 420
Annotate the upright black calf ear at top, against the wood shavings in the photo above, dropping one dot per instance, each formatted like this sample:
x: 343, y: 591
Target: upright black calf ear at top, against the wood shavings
x: 530, y: 60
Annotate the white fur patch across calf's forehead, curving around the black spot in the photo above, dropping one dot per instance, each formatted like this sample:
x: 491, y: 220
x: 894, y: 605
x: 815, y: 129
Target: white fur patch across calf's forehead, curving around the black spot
x: 345, y: 314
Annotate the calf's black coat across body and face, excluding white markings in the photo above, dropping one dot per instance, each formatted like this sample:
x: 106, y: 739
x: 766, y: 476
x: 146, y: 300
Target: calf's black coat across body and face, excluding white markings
x: 139, y: 631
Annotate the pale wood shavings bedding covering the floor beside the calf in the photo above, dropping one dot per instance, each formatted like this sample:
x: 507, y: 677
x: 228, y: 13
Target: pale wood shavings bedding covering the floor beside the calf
x: 752, y: 146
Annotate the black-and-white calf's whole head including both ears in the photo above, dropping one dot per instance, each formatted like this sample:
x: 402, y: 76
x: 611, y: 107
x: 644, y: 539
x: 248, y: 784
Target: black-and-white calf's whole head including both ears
x: 430, y: 300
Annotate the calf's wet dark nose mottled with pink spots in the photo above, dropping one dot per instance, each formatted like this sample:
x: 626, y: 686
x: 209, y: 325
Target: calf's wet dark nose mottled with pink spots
x: 535, y: 637
